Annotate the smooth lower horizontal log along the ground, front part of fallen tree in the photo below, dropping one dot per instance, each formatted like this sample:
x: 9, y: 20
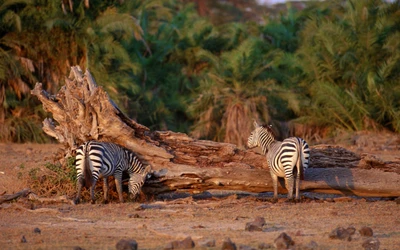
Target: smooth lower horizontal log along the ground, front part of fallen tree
x: 346, y: 181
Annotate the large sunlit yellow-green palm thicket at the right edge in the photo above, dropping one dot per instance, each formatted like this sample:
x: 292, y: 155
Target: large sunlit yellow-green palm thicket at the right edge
x: 350, y: 60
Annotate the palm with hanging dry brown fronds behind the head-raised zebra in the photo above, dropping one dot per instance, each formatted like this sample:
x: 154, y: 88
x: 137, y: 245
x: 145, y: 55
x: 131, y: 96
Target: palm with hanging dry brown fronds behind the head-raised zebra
x: 234, y: 92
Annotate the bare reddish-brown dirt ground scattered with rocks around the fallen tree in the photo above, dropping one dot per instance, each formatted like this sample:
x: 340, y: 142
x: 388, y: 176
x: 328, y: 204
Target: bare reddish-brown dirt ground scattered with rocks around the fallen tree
x: 26, y: 224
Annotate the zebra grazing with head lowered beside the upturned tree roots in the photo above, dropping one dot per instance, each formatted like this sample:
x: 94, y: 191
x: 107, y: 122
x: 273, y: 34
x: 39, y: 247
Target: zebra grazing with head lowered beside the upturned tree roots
x: 102, y: 159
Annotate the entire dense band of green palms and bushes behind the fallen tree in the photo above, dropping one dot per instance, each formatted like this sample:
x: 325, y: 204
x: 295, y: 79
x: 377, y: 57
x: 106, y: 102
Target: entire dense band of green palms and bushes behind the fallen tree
x: 208, y: 68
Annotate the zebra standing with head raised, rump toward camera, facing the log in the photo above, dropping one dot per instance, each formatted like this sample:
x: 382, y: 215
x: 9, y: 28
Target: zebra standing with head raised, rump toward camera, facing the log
x: 288, y: 158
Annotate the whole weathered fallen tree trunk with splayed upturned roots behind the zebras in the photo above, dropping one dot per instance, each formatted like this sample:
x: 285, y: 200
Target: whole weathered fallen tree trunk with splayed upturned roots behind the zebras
x: 83, y: 111
